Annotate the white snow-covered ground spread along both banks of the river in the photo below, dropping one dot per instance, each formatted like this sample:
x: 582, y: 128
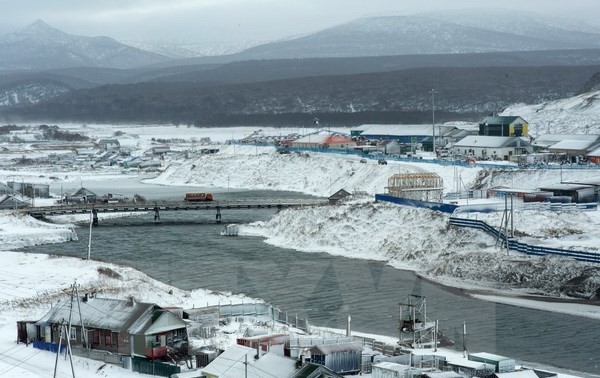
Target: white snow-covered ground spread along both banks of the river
x: 406, y: 238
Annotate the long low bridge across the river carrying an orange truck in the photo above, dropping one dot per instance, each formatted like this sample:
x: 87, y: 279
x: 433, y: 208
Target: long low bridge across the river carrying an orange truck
x: 159, y: 206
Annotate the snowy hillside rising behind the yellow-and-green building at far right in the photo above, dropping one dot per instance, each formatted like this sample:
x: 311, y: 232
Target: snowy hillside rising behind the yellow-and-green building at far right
x: 575, y: 115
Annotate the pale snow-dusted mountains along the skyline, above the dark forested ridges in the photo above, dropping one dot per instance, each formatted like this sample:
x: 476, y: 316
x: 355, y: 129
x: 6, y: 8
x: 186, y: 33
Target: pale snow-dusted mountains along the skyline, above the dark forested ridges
x: 41, y: 47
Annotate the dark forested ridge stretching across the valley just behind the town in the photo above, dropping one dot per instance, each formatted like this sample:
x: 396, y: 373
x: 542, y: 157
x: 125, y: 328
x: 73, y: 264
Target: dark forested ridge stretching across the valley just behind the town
x: 398, y: 96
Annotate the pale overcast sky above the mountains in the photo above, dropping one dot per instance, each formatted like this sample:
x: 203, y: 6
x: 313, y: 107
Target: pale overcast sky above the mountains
x: 241, y: 20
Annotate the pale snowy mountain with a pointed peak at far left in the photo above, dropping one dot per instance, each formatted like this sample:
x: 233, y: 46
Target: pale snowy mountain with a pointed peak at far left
x: 39, y: 46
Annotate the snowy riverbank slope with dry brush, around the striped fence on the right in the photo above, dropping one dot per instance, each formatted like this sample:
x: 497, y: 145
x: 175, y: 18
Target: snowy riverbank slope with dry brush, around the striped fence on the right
x: 421, y: 240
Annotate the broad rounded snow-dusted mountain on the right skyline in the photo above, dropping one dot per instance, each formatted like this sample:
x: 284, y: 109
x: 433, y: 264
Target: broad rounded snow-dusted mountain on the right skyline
x: 431, y: 34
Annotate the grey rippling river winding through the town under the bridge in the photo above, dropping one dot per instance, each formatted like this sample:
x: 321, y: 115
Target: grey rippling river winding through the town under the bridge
x: 187, y: 250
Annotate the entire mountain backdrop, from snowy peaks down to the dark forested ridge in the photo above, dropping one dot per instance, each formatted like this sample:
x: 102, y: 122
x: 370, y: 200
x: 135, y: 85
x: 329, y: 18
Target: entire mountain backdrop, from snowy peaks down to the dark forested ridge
x: 377, y: 69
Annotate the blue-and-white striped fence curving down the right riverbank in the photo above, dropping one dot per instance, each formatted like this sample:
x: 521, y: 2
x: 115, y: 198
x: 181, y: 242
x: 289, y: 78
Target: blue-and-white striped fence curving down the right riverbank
x: 515, y: 245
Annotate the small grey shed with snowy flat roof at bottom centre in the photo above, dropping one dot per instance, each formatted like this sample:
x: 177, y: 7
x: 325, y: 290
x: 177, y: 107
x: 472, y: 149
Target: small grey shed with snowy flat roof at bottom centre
x: 342, y: 358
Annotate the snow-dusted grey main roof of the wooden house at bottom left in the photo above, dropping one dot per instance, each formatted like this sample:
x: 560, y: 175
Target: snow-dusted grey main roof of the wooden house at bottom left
x: 112, y: 314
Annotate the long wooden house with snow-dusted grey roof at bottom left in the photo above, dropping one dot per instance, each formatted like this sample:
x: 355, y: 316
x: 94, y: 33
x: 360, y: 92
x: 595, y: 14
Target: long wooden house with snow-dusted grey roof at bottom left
x: 123, y: 327
